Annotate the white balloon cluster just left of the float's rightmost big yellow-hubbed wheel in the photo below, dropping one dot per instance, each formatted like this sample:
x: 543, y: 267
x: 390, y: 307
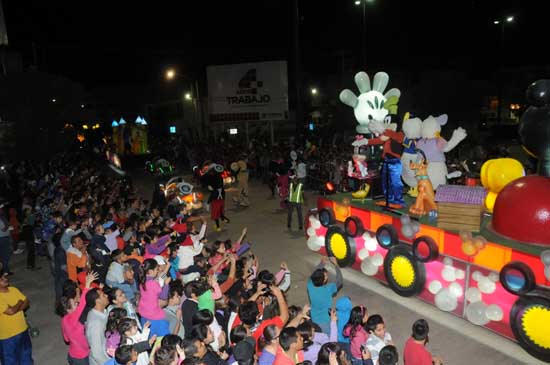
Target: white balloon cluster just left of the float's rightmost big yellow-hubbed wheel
x: 478, y: 312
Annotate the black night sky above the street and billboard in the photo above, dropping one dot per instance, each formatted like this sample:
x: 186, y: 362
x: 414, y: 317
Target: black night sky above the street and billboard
x: 106, y: 42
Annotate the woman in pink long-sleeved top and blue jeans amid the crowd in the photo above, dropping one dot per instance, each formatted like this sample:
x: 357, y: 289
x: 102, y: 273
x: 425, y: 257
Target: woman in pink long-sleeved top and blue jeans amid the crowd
x: 153, y: 298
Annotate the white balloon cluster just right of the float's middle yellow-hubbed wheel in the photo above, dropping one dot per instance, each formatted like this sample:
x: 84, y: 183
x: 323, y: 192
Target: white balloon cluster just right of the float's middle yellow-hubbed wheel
x: 446, y: 299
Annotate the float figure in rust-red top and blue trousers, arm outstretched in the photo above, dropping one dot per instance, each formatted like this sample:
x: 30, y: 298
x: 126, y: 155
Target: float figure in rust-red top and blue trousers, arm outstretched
x: 392, y: 185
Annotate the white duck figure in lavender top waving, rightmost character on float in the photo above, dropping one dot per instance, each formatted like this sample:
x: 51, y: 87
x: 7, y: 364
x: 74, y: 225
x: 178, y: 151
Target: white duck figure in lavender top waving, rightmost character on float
x: 435, y: 147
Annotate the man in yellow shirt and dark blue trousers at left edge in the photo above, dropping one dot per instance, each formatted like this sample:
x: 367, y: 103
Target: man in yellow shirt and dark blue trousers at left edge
x: 15, y: 342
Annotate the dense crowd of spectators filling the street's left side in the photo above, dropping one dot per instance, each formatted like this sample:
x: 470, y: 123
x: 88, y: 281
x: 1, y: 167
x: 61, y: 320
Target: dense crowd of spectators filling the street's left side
x: 138, y: 283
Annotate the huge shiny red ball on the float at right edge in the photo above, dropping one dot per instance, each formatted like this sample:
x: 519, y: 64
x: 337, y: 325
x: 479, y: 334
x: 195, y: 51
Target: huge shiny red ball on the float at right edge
x: 522, y: 210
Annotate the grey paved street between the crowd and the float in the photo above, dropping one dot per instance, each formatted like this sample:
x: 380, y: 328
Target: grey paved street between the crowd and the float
x: 455, y: 340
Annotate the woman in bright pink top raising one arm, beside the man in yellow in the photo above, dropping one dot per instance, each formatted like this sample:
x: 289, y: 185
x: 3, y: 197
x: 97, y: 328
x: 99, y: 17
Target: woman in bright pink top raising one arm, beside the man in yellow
x: 73, y: 330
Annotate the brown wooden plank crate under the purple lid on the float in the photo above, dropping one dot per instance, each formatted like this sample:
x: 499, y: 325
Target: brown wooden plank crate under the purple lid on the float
x: 459, y: 217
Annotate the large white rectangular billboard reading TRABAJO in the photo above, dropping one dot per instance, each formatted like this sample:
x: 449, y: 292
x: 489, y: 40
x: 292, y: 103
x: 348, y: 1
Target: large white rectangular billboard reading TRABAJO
x: 248, y: 91
